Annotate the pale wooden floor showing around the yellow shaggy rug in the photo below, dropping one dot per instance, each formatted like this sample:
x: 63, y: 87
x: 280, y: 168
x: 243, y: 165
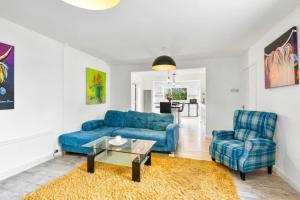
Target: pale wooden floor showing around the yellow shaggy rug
x: 192, y: 144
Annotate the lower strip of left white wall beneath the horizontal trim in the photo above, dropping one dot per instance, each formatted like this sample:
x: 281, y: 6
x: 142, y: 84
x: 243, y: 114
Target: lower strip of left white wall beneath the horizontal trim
x: 20, y: 154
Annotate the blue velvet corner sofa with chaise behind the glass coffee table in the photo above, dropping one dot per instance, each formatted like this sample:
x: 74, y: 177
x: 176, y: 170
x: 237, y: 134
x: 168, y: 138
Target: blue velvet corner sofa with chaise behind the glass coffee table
x: 138, y: 125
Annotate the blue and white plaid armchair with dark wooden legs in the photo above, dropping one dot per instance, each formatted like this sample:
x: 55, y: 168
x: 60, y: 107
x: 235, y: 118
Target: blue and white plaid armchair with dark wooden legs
x: 249, y: 146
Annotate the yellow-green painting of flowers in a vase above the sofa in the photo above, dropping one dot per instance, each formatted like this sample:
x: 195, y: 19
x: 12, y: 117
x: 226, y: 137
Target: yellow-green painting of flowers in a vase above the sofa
x: 96, y: 86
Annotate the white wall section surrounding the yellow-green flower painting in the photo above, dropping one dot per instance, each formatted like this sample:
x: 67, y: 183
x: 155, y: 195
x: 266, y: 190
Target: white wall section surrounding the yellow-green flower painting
x: 75, y: 108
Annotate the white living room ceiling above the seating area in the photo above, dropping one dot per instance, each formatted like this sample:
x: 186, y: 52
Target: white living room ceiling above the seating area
x: 137, y: 30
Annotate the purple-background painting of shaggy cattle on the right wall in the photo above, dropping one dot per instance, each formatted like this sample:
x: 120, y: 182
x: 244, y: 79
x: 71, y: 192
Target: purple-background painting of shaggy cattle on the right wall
x: 281, y: 61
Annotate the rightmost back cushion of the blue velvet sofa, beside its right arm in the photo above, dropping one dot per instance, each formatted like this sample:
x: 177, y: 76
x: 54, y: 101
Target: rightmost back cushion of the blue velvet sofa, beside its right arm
x: 159, y: 122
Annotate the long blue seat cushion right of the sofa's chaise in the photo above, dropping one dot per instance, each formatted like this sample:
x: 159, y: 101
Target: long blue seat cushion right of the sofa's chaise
x: 144, y: 134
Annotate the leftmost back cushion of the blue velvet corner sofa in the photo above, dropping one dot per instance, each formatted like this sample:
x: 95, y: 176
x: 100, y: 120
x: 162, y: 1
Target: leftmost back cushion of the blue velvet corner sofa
x: 114, y: 118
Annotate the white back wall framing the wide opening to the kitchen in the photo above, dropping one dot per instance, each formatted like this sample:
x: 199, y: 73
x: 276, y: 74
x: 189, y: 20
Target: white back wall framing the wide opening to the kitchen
x: 222, y: 74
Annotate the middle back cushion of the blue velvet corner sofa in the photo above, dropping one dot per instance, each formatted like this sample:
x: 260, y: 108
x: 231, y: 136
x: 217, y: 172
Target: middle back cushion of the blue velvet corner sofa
x: 137, y: 119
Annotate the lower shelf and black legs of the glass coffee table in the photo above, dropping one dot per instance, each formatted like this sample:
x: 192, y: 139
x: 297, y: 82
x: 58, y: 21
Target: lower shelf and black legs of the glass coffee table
x: 135, y: 161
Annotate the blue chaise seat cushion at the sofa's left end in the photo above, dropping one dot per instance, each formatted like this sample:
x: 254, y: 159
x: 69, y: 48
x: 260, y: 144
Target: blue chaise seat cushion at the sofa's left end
x: 79, y: 138
